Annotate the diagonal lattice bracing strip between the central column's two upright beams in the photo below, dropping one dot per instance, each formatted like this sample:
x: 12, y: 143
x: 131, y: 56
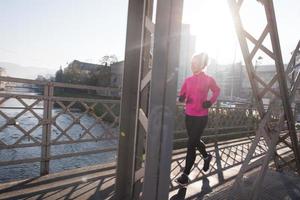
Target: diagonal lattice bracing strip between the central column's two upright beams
x: 142, y: 113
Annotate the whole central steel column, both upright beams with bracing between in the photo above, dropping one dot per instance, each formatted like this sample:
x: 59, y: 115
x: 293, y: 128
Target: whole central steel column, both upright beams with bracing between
x: 148, y: 106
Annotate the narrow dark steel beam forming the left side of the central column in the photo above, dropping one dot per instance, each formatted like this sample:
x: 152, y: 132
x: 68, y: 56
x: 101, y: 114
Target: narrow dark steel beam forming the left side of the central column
x: 133, y: 50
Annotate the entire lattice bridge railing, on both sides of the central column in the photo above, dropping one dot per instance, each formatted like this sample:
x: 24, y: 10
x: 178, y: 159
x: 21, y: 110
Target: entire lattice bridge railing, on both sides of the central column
x: 62, y: 121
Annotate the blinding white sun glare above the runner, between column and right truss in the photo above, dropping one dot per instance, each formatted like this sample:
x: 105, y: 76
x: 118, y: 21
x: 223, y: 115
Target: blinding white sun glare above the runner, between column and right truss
x: 211, y: 23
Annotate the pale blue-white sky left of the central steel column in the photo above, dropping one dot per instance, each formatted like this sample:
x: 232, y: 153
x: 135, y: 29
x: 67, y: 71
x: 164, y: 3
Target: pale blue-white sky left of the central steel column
x: 50, y: 33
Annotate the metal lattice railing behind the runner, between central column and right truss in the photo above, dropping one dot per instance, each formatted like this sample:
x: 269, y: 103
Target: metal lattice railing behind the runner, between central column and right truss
x: 224, y: 122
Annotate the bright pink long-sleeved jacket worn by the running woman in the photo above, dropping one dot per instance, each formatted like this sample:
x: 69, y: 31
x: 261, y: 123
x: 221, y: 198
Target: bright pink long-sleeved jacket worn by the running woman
x: 195, y: 90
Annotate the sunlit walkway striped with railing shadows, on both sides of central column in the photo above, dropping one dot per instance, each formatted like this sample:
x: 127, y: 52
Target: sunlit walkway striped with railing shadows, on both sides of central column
x: 97, y: 182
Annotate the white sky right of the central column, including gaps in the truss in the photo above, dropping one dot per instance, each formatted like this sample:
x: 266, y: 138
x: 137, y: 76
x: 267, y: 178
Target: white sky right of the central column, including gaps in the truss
x: 211, y: 22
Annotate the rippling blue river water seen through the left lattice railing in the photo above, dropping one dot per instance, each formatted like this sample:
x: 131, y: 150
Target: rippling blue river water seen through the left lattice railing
x: 29, y: 122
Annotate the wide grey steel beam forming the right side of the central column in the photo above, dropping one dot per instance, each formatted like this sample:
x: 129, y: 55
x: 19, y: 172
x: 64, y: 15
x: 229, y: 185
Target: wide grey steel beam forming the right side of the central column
x: 162, y: 99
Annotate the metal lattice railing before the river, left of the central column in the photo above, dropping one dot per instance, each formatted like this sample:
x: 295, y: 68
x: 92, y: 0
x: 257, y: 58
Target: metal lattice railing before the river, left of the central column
x: 59, y: 121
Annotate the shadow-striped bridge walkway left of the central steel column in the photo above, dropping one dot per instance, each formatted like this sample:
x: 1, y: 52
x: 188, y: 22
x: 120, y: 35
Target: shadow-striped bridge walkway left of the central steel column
x: 95, y: 182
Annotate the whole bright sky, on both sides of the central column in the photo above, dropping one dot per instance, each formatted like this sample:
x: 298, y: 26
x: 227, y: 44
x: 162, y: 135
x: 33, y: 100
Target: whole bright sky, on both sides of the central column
x: 52, y: 33
